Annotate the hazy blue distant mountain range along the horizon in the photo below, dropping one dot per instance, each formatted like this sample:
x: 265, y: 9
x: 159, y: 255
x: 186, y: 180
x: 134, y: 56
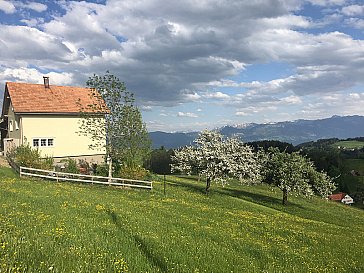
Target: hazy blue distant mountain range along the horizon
x: 294, y: 132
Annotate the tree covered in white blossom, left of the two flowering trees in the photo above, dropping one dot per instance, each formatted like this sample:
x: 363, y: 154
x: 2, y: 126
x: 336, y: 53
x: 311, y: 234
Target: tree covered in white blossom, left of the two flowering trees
x: 218, y: 159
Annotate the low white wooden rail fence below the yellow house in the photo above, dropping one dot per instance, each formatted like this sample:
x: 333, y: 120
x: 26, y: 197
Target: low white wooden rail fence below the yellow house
x: 60, y: 176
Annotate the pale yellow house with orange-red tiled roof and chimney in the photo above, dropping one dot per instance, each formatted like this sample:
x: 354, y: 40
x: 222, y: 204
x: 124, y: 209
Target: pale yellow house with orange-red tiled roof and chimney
x: 47, y: 117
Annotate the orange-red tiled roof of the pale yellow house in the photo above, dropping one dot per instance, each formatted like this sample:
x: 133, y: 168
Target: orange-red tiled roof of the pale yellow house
x: 35, y: 98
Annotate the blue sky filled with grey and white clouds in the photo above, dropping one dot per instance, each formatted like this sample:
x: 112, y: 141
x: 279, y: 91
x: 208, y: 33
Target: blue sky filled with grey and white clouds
x: 197, y: 64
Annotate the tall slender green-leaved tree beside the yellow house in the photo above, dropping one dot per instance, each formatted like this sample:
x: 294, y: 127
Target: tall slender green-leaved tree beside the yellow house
x: 118, y: 127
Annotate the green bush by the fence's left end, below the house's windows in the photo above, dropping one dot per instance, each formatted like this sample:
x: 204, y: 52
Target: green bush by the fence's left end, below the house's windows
x: 26, y: 156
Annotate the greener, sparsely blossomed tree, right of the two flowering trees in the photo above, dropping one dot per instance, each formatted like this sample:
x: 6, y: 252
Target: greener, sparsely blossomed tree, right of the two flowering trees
x: 293, y: 173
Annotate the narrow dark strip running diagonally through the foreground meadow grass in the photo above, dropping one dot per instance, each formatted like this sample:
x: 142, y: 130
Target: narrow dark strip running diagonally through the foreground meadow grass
x: 145, y: 248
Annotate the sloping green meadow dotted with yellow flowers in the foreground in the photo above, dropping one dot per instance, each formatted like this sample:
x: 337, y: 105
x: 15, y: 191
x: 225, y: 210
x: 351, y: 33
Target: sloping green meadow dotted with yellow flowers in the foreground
x: 62, y: 227
